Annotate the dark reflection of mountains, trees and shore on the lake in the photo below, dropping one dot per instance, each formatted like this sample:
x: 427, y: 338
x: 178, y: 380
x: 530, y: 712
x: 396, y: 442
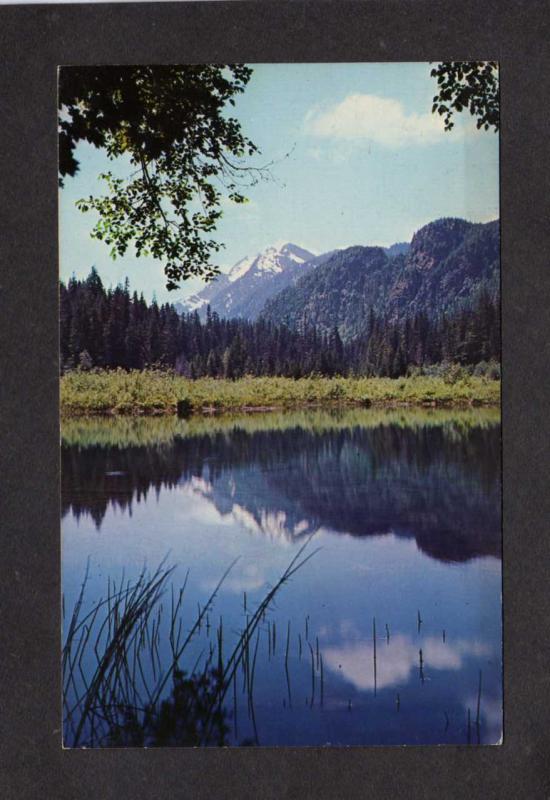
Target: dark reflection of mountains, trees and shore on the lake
x: 434, y: 478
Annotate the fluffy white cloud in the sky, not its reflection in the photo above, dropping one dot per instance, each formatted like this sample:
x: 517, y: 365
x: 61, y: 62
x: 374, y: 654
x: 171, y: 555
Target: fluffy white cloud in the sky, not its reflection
x: 376, y: 119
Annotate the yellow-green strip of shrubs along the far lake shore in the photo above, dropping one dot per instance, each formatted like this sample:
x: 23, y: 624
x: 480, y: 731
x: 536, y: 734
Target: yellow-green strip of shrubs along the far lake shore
x: 158, y: 392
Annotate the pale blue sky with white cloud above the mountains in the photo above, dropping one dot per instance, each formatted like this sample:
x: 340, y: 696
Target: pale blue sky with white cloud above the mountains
x: 368, y: 164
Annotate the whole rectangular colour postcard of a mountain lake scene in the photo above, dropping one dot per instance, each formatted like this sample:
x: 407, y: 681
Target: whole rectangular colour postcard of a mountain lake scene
x: 280, y: 404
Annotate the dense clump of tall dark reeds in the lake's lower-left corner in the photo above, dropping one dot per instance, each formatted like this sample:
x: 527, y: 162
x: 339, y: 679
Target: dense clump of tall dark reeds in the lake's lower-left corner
x: 119, y: 691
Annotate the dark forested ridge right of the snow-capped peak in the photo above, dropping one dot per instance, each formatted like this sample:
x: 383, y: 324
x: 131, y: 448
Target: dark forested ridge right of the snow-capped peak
x: 449, y: 263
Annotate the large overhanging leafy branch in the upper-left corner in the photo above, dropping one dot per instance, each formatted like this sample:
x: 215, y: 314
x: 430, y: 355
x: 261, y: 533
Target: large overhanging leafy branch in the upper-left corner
x: 183, y: 149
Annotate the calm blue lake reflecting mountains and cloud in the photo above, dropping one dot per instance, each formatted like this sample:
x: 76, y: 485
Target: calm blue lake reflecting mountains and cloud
x: 389, y: 634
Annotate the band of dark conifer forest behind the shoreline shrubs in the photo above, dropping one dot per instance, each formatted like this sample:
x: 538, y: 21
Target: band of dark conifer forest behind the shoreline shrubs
x: 117, y: 329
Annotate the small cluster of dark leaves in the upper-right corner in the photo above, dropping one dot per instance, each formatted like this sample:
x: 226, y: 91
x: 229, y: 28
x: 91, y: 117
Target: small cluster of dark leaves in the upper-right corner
x: 470, y: 85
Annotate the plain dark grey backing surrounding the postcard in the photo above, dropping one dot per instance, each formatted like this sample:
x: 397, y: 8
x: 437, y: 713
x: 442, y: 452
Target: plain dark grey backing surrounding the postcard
x: 33, y: 41
